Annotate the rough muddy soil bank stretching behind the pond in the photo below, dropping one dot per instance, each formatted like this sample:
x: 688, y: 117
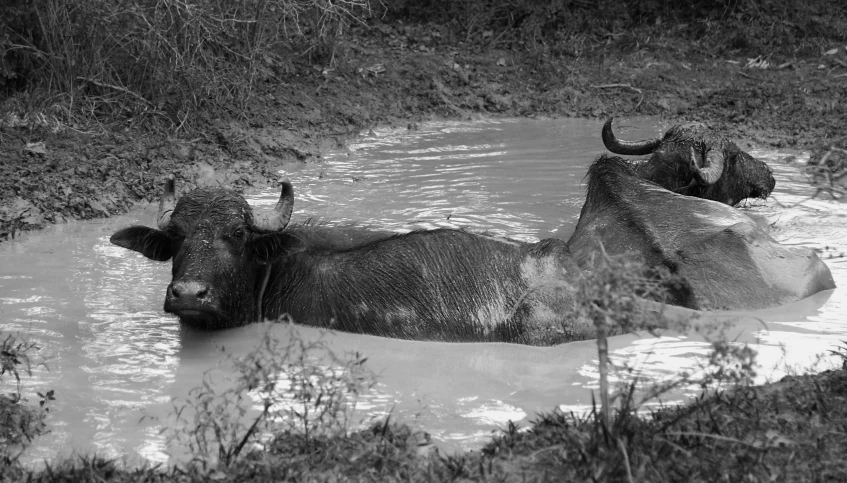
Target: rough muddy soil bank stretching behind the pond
x: 393, y: 73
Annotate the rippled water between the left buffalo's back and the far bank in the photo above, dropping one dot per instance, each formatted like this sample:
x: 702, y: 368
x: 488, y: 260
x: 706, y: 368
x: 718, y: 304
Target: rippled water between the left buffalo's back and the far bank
x: 515, y: 178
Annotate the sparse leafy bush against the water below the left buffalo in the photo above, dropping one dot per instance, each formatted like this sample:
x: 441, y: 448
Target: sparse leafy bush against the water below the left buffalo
x: 284, y: 386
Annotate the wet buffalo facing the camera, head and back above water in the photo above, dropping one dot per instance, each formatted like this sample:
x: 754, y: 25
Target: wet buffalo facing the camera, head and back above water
x: 231, y: 267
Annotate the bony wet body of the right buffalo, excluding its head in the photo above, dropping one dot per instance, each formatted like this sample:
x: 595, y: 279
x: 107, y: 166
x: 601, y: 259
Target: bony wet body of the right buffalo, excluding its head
x: 729, y: 262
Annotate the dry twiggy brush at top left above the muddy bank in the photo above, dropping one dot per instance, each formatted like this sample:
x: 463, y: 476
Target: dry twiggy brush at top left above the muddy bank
x: 162, y: 58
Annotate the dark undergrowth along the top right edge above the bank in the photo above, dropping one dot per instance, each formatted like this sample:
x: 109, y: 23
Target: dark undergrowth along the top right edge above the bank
x: 553, y: 24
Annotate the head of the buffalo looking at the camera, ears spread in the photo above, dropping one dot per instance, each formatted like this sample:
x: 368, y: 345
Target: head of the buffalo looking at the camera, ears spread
x: 221, y: 252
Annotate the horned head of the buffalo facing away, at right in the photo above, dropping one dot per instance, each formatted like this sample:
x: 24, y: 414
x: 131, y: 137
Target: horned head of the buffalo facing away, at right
x: 694, y: 160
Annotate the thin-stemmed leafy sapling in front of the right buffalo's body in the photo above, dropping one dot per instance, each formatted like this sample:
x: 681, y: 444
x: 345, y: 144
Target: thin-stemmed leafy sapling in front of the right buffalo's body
x: 619, y: 295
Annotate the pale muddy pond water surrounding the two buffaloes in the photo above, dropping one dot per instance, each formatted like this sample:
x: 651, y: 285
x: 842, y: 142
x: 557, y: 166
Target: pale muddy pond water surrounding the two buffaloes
x: 116, y: 360
